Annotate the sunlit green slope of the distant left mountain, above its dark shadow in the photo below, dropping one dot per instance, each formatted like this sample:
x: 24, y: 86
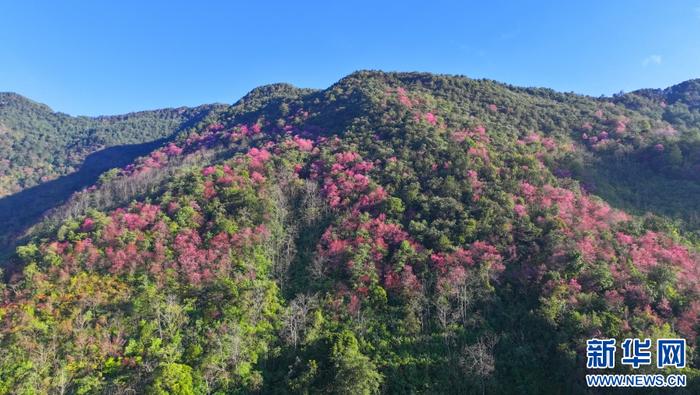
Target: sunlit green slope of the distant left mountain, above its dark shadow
x: 38, y: 144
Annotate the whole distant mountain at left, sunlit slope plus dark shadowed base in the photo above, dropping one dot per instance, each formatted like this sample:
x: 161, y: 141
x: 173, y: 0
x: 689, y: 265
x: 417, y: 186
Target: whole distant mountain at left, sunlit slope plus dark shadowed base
x: 46, y: 156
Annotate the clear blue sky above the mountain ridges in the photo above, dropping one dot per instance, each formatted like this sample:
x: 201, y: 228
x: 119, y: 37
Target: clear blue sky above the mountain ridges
x: 109, y: 57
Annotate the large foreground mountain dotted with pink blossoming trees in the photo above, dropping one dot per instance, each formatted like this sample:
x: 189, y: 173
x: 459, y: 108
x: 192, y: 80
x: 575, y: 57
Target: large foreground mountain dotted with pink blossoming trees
x: 393, y: 233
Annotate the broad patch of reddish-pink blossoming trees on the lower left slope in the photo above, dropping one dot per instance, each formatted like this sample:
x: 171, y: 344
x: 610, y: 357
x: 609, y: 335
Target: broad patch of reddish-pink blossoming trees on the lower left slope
x: 183, y: 253
